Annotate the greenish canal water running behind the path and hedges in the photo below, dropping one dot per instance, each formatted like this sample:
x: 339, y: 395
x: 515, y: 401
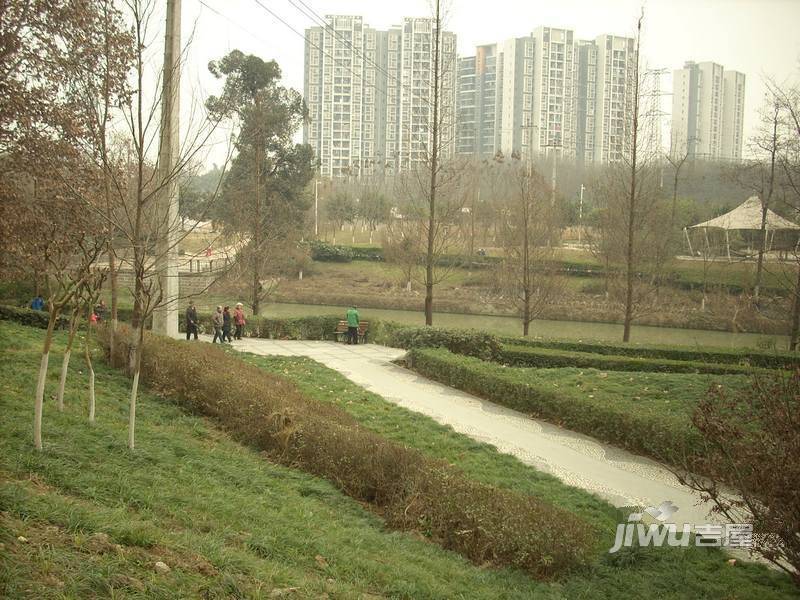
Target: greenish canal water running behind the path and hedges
x: 568, y: 330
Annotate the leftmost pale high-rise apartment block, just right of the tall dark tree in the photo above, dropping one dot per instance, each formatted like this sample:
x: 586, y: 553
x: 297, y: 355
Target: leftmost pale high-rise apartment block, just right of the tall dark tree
x: 370, y: 94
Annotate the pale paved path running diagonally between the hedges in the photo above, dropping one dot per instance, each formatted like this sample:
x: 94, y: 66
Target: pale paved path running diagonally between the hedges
x: 622, y: 478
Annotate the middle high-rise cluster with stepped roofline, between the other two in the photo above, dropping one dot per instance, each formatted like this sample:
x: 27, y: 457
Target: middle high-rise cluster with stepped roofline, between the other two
x: 547, y: 93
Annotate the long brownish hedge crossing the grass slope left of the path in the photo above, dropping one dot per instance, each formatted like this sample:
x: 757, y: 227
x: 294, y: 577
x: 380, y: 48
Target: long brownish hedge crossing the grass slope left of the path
x: 410, y: 490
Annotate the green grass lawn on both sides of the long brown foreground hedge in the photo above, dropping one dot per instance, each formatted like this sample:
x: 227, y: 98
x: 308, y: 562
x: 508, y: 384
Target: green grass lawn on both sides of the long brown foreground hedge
x: 96, y: 517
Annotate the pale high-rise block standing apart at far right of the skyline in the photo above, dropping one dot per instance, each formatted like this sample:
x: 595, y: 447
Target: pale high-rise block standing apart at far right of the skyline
x: 700, y: 115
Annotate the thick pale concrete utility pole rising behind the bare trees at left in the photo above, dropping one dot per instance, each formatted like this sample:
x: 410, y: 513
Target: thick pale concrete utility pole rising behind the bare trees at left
x: 165, y: 317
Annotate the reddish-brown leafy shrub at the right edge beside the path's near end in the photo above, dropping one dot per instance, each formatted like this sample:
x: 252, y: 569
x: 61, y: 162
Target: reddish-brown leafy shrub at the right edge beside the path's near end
x: 751, y: 441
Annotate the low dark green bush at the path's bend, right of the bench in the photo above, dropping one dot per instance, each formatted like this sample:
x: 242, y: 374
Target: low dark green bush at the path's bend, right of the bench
x: 468, y: 342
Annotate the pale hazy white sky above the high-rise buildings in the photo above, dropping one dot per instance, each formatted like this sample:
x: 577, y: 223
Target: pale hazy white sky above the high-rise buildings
x: 756, y: 37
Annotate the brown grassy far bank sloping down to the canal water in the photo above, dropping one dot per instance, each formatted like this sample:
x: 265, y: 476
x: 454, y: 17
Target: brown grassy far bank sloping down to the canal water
x: 379, y: 286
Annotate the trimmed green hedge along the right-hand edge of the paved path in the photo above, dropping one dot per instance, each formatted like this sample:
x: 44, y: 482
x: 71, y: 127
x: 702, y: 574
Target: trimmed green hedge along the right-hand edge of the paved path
x: 668, y: 438
